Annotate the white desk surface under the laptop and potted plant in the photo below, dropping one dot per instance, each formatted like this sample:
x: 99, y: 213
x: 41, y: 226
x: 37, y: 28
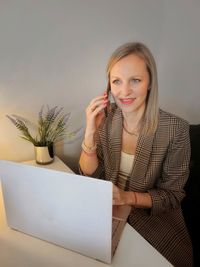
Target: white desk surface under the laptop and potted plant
x: 21, y: 250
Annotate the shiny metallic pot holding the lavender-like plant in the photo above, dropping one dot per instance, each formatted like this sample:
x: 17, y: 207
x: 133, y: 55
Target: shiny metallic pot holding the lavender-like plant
x: 44, y: 155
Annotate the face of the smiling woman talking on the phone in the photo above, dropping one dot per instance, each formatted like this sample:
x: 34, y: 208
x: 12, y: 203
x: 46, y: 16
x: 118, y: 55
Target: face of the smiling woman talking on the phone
x: 129, y: 81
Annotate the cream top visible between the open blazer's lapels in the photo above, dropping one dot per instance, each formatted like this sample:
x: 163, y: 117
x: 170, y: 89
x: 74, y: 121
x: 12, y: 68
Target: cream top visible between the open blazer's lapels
x: 126, y: 165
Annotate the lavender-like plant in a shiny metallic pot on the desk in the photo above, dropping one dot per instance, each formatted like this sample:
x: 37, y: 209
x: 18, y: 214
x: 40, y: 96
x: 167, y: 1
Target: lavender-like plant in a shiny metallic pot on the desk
x: 50, y: 128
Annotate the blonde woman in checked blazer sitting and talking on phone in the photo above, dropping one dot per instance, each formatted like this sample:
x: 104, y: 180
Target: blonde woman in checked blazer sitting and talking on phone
x: 143, y: 150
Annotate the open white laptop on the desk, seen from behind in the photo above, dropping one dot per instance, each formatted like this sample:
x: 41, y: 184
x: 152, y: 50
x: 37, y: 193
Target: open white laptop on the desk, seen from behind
x: 66, y: 209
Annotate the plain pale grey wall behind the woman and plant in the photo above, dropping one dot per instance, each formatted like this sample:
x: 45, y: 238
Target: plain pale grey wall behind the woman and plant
x: 55, y: 52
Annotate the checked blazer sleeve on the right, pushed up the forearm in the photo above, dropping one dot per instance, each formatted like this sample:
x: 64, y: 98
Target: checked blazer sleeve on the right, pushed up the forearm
x: 169, y: 190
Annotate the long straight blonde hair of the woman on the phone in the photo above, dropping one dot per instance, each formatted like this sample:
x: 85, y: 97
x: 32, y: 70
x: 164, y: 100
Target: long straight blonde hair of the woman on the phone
x: 150, y: 118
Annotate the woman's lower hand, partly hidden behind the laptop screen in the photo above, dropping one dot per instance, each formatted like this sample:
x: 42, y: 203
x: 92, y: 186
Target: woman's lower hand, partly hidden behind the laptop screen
x: 120, y: 197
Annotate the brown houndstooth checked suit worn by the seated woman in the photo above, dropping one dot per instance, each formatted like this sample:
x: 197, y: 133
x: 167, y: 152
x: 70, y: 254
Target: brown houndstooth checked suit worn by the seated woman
x: 161, y: 167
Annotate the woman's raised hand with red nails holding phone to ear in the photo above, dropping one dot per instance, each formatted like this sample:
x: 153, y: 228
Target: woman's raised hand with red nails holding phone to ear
x: 95, y: 114
